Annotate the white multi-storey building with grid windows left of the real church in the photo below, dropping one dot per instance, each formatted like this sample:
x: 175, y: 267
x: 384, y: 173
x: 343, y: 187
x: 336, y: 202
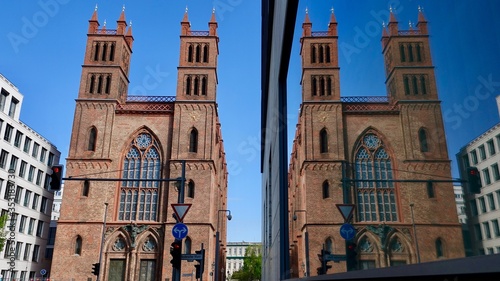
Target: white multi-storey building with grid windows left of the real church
x: 26, y: 158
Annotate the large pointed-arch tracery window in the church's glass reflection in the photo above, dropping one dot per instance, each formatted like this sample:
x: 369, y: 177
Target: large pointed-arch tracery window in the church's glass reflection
x: 375, y: 201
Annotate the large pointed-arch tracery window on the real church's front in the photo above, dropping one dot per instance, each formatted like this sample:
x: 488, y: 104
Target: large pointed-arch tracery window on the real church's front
x: 139, y: 199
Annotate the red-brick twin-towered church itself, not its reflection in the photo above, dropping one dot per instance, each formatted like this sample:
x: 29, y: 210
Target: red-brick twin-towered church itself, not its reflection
x: 129, y: 139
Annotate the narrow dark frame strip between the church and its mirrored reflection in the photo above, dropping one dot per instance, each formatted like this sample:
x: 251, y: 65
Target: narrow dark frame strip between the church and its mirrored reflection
x: 278, y: 24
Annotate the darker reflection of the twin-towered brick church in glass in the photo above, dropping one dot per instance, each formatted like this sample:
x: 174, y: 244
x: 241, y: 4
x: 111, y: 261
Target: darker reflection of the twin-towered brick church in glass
x: 374, y: 142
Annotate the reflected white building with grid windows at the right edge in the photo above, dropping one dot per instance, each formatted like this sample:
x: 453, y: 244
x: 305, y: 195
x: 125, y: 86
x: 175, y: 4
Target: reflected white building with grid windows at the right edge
x: 483, y: 209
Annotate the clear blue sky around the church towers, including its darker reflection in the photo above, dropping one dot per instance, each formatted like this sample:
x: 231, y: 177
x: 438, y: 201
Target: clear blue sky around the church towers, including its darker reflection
x: 42, y: 45
